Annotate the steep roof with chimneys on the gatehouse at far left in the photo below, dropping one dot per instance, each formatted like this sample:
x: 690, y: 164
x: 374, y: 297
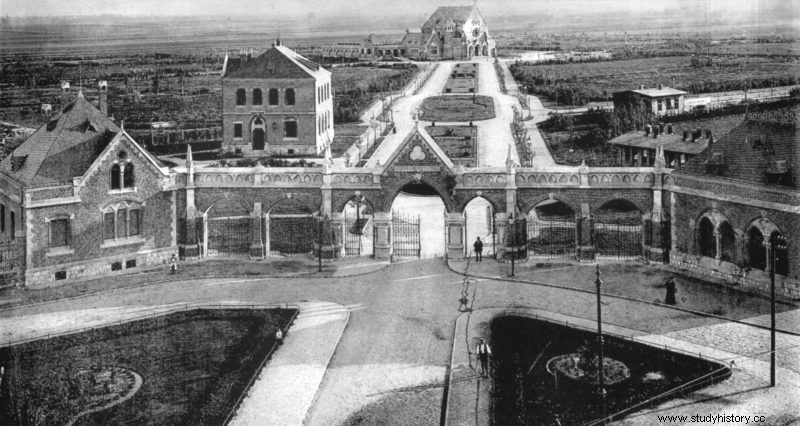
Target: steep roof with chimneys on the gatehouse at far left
x: 63, y: 148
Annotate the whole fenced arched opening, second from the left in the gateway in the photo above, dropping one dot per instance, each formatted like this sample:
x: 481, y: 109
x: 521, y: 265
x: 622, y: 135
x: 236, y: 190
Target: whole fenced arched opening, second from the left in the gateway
x: 292, y: 230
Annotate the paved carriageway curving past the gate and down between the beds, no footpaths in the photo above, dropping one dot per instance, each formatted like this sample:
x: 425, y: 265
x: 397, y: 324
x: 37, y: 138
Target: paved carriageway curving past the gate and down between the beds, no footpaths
x: 397, y: 345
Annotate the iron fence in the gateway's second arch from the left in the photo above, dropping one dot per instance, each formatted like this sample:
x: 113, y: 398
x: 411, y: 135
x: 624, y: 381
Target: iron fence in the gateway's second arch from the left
x: 292, y: 235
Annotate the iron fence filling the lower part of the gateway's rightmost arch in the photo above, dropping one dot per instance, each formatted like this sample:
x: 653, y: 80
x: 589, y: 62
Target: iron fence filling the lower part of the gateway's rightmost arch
x: 620, y: 239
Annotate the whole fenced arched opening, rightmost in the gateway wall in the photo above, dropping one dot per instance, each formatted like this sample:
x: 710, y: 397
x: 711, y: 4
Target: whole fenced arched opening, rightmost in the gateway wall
x: 618, y: 229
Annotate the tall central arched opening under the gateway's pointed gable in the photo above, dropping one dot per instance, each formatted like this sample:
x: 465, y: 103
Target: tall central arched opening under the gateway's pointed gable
x: 418, y: 222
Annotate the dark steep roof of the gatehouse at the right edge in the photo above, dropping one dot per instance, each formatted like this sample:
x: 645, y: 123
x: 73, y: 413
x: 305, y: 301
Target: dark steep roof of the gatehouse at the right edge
x: 750, y: 150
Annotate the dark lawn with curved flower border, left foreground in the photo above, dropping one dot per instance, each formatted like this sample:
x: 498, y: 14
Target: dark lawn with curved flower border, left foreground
x: 194, y: 365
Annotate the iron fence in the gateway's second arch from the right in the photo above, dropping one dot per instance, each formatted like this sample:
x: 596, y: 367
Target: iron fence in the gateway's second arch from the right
x: 551, y: 238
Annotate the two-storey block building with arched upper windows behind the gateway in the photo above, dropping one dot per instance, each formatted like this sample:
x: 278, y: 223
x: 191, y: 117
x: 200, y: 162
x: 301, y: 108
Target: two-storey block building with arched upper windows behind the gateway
x: 276, y: 103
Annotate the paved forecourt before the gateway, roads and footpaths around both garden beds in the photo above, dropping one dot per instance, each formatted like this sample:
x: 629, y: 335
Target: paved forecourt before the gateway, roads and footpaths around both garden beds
x: 381, y: 342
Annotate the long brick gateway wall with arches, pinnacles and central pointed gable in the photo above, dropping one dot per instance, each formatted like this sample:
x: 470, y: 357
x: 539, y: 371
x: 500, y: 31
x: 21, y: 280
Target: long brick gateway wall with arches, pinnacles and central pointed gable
x: 513, y: 192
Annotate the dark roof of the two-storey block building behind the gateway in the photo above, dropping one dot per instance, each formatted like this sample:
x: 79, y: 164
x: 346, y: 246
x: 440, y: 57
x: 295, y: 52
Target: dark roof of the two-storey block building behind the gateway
x: 277, y: 62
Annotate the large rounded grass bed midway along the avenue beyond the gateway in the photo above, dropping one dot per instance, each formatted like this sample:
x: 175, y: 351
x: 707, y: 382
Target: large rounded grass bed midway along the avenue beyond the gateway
x: 457, y: 108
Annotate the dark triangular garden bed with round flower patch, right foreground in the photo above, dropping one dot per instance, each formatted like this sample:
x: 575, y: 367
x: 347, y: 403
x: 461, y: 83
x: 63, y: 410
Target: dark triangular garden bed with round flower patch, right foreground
x: 546, y: 373
